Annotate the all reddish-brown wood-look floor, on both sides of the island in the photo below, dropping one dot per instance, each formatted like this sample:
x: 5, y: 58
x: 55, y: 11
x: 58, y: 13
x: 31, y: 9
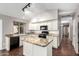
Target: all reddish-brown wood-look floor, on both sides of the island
x: 65, y: 49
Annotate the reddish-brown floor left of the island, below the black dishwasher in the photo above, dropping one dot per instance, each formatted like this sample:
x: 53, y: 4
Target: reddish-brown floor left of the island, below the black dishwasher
x: 14, y: 52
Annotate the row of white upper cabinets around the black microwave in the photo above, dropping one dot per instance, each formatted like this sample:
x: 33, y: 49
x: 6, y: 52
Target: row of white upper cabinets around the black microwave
x: 52, y: 25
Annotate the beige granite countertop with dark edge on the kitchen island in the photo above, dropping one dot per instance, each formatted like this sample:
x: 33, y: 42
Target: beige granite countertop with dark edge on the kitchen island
x: 37, y: 41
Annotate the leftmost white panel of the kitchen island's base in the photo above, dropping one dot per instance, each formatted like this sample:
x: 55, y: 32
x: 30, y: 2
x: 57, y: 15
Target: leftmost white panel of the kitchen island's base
x: 27, y: 49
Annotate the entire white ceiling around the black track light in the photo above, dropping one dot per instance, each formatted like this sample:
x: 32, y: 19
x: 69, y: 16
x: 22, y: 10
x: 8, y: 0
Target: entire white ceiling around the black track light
x: 36, y: 9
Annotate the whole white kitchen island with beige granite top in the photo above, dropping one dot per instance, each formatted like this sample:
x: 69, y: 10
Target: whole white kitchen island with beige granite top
x: 35, y: 46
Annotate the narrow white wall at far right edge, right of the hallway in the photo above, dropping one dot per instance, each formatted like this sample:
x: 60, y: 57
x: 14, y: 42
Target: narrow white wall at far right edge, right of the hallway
x: 75, y: 31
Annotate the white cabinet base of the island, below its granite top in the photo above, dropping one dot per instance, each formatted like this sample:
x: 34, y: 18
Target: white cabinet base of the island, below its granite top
x: 35, y: 50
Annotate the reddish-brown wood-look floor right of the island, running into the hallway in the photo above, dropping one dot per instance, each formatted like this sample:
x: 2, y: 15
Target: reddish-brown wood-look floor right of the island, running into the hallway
x: 65, y: 49
